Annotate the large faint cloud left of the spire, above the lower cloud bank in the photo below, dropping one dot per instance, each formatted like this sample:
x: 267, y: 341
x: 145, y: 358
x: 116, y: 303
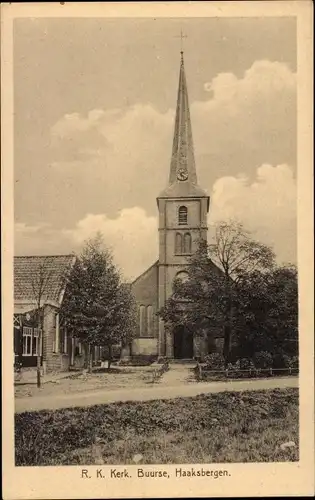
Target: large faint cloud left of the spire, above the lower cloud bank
x: 122, y: 156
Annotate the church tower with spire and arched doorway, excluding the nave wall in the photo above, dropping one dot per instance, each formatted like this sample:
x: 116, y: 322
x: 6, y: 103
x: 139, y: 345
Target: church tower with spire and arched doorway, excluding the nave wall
x: 183, y: 208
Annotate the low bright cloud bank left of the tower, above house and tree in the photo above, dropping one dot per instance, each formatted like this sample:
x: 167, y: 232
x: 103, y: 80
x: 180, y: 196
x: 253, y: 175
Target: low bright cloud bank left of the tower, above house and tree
x: 132, y: 236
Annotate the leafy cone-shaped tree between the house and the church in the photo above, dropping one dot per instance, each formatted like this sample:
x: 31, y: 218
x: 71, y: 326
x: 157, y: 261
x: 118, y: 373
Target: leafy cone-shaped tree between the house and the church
x: 98, y: 307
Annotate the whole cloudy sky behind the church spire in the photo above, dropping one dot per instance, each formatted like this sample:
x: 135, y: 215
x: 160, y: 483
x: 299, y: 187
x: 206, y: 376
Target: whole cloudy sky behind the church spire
x: 94, y: 105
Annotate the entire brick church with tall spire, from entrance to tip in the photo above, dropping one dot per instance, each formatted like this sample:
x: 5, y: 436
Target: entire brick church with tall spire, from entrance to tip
x: 183, y: 207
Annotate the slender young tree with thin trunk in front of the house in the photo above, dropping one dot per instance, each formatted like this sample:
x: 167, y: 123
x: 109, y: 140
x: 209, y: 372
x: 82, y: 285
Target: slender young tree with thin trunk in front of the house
x: 40, y: 283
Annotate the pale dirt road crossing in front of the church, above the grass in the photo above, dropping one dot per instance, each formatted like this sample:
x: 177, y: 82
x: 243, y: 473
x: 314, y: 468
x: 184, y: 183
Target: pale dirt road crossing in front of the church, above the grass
x: 160, y: 391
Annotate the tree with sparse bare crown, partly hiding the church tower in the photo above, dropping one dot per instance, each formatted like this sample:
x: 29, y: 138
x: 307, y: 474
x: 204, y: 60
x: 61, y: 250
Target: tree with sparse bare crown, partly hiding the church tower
x: 216, y: 273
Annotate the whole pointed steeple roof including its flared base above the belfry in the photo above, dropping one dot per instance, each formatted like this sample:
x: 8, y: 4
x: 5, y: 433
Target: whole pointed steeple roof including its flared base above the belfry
x: 183, y: 158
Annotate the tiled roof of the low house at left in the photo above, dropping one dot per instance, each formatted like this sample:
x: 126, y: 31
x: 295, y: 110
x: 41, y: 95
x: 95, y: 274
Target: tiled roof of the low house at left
x: 35, y: 273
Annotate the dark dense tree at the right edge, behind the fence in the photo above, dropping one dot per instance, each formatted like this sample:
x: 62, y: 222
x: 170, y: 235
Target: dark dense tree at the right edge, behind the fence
x: 267, y: 313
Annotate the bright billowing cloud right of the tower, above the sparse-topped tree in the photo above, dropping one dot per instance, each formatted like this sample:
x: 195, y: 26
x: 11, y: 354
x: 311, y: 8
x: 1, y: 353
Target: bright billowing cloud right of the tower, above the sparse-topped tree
x: 266, y: 206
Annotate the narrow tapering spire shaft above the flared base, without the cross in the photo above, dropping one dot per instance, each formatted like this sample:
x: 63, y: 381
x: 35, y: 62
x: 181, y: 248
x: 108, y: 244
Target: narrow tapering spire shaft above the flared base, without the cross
x: 183, y: 160
